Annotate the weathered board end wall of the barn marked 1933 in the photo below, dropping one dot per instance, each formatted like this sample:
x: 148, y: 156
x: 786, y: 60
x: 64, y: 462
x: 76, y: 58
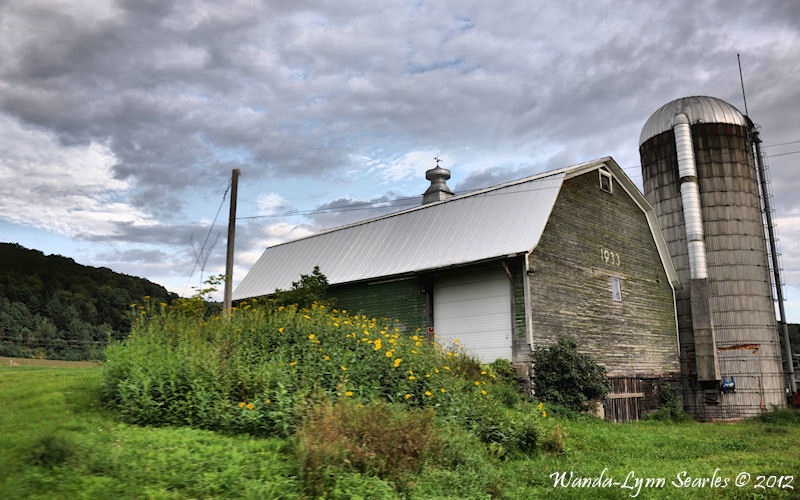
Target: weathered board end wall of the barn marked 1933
x: 591, y: 237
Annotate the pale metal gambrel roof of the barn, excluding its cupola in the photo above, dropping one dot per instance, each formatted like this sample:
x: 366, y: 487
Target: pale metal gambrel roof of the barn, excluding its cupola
x: 482, y: 225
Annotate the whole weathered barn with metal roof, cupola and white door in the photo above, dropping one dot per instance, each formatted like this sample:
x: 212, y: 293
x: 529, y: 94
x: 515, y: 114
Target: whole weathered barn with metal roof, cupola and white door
x: 574, y: 251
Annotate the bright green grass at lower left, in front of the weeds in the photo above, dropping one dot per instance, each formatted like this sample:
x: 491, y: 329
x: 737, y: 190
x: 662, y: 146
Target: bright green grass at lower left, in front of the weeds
x: 57, y: 442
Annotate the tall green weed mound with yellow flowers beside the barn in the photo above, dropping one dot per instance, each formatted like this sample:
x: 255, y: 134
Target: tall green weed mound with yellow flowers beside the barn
x: 261, y: 368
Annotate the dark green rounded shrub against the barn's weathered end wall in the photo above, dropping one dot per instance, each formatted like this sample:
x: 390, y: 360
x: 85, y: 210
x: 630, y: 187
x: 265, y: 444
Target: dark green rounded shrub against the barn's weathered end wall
x: 564, y: 376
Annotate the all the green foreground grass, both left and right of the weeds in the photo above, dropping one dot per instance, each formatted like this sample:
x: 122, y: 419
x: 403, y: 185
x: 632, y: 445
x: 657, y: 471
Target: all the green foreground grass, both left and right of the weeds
x: 57, y: 441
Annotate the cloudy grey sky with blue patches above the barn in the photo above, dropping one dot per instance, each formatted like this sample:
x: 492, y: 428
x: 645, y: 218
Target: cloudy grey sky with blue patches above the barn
x: 120, y: 121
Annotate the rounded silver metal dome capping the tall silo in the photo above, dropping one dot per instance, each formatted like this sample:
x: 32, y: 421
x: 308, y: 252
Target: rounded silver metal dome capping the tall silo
x: 698, y: 109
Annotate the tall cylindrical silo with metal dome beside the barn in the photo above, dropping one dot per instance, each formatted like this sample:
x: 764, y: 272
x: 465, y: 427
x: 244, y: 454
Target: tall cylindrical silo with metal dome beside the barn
x: 700, y: 175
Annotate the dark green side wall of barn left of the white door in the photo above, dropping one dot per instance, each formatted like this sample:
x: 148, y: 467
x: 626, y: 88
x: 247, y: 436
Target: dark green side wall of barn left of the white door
x: 402, y: 299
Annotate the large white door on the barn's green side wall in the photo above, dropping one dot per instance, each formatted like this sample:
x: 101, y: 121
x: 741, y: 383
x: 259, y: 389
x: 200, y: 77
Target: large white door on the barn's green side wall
x: 475, y: 308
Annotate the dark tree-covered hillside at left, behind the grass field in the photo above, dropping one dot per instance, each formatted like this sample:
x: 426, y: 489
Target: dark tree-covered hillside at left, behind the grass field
x: 53, y: 307
